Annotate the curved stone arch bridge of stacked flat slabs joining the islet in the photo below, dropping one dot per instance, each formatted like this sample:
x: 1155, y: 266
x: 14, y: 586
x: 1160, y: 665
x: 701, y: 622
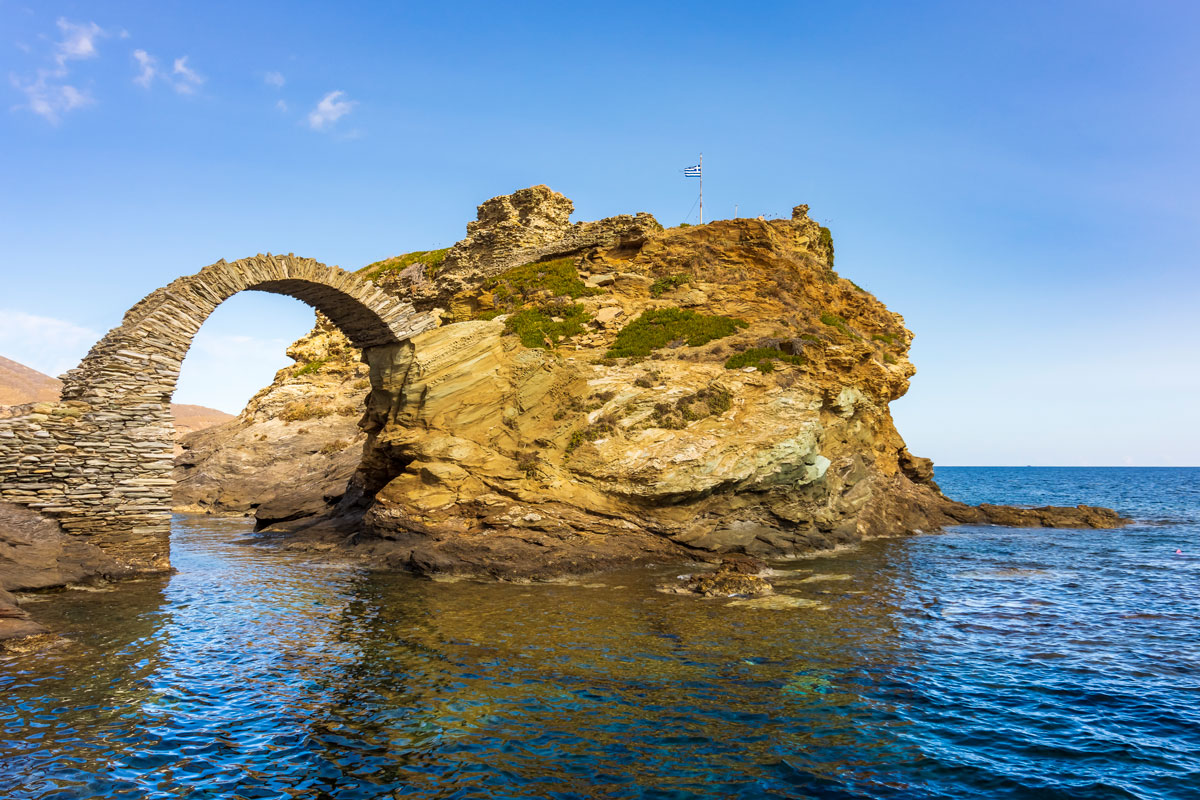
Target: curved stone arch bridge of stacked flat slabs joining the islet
x: 100, y: 460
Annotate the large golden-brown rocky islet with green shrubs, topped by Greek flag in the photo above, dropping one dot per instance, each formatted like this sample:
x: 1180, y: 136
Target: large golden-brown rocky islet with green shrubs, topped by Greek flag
x: 676, y: 394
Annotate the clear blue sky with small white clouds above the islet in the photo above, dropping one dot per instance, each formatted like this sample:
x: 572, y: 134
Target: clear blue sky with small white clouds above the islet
x: 1019, y: 181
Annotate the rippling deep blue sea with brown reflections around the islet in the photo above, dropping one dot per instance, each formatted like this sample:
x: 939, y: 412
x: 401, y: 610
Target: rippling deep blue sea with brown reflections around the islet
x: 980, y: 663
